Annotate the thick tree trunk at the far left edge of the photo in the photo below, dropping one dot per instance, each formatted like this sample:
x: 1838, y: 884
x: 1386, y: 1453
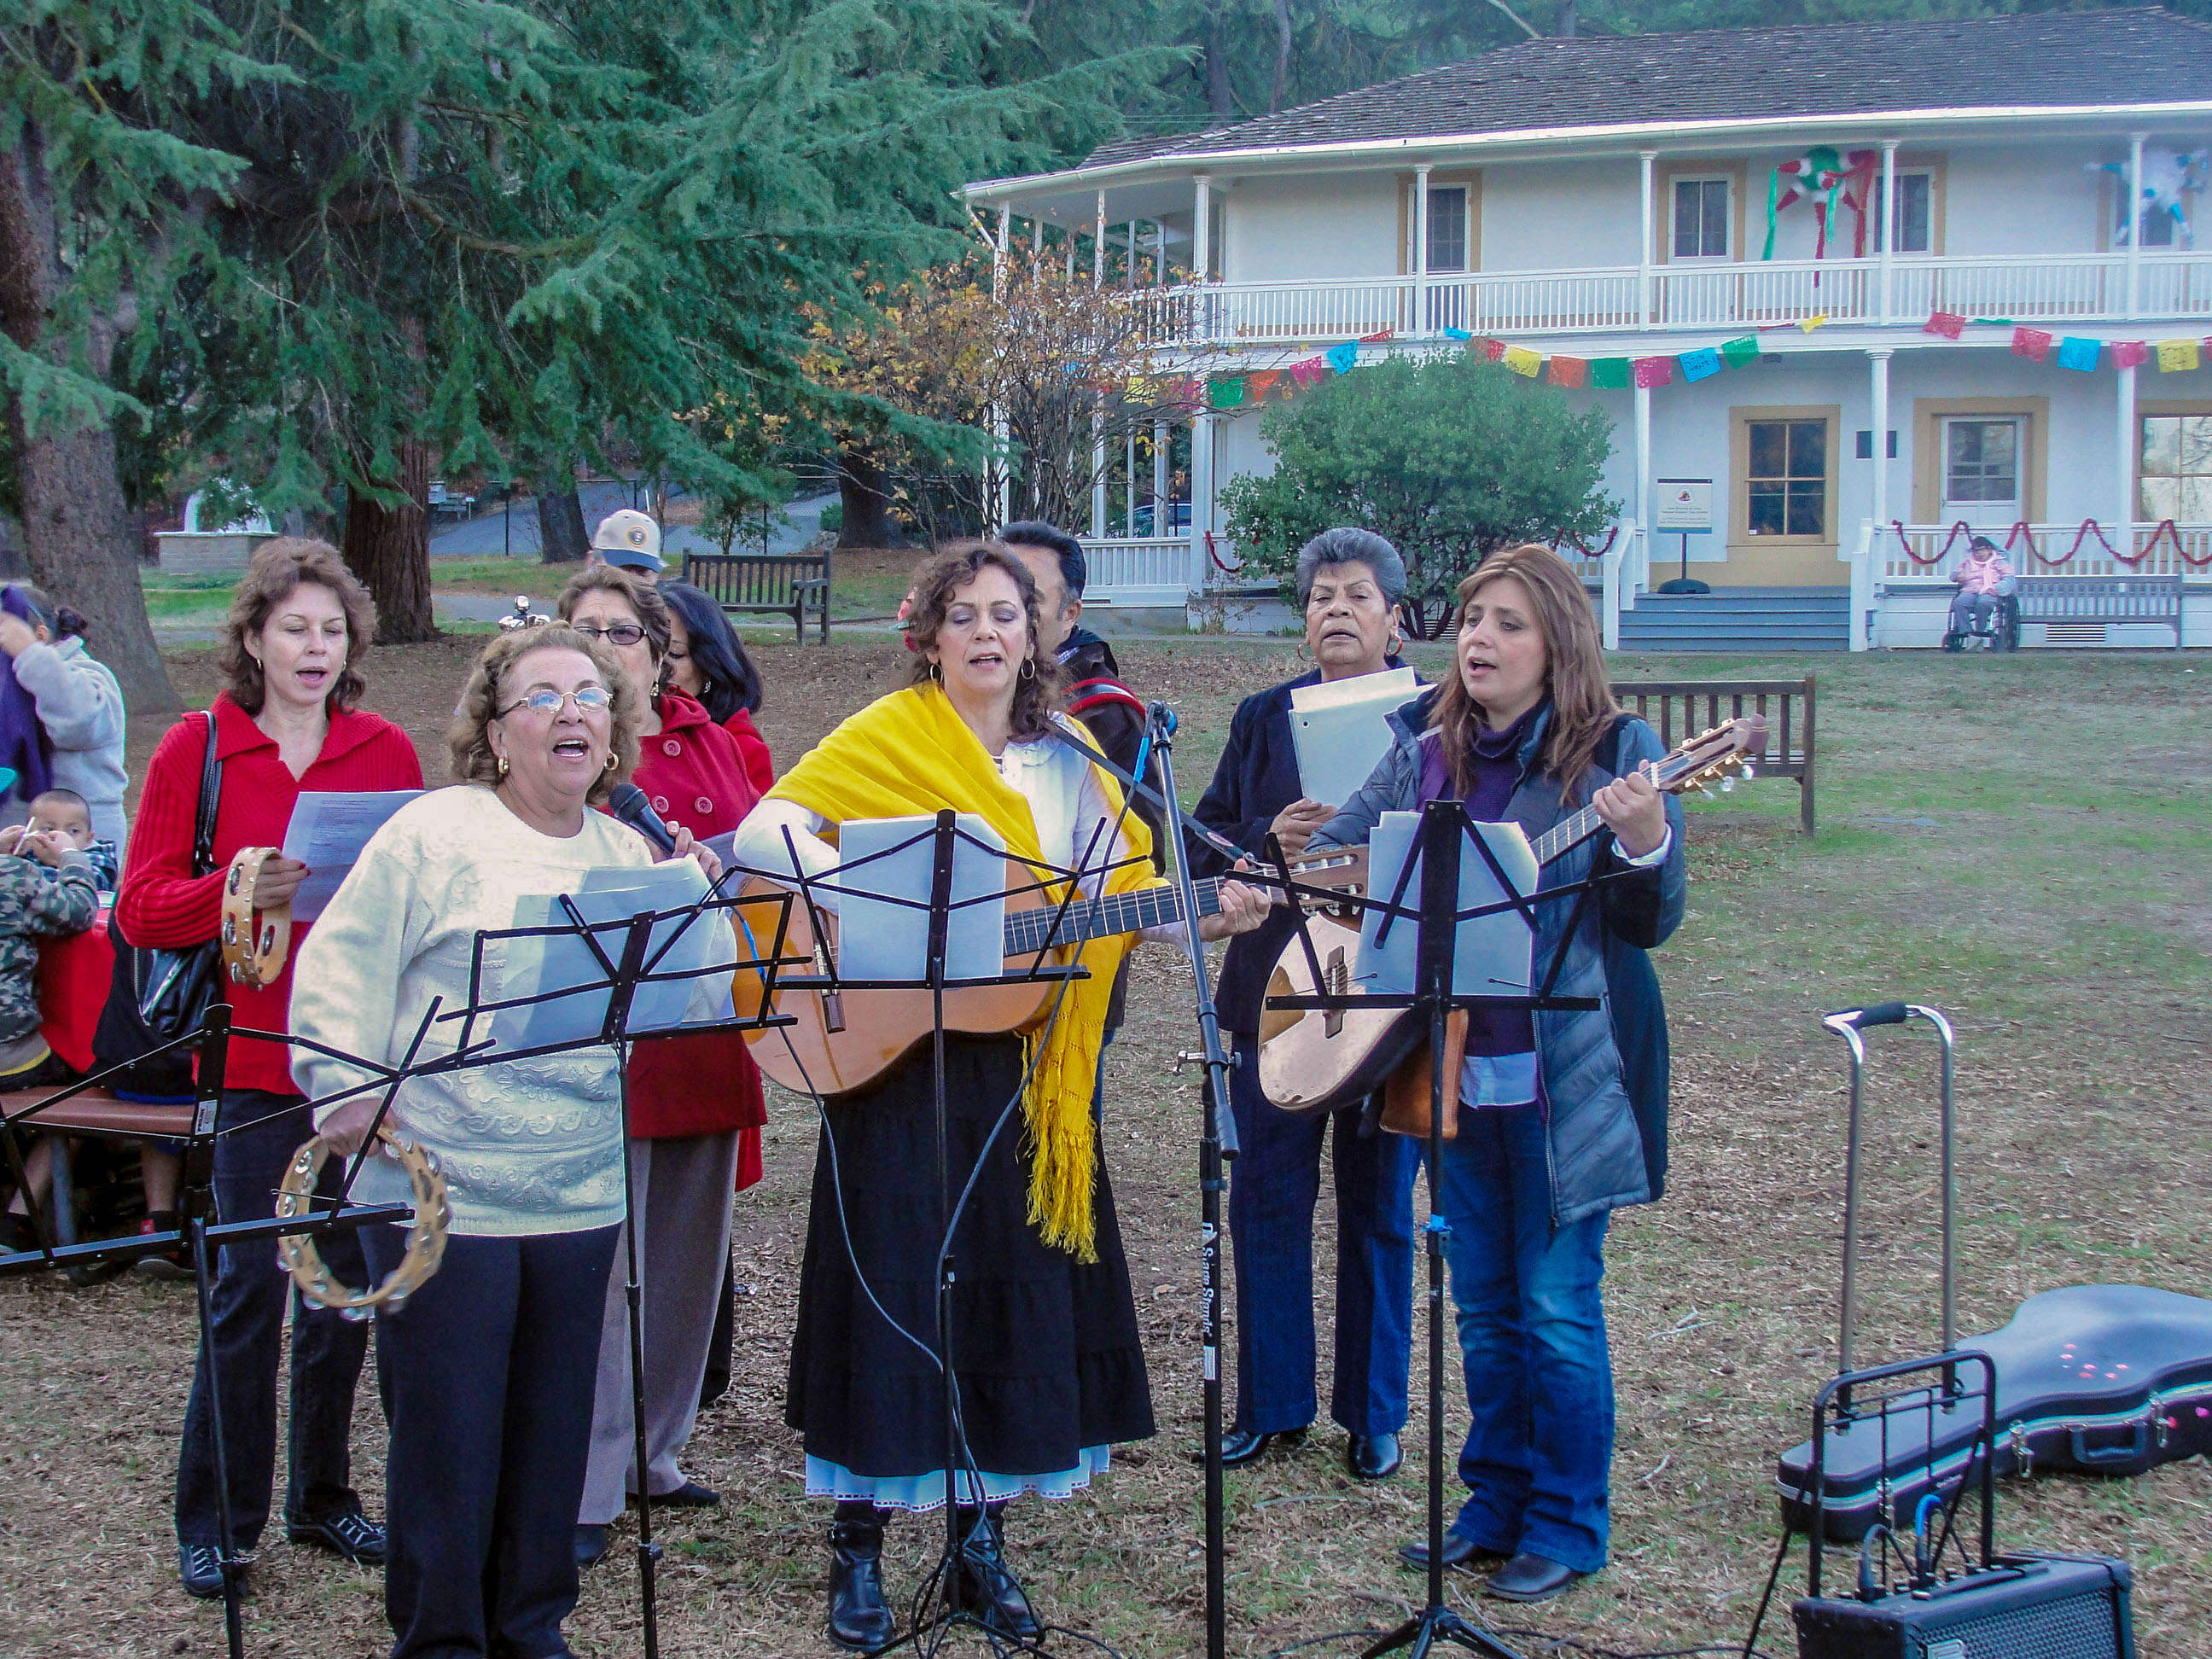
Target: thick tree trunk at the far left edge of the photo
x: 76, y: 530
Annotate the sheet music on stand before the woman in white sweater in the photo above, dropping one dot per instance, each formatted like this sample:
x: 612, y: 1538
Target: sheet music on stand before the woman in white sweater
x: 532, y: 968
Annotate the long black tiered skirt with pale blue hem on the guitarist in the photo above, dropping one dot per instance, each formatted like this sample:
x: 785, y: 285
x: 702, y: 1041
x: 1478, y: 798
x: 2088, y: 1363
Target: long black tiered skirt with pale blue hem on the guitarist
x: 1045, y: 1348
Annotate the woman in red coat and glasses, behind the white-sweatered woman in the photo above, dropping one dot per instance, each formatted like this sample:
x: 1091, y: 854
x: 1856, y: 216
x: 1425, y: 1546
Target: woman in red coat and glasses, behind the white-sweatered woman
x: 696, y: 1103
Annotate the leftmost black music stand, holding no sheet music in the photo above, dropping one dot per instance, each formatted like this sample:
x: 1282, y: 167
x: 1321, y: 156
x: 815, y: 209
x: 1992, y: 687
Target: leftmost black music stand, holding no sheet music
x: 200, y: 1238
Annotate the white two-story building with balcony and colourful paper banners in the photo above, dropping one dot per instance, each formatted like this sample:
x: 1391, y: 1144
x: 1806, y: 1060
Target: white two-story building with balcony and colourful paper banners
x: 1961, y: 331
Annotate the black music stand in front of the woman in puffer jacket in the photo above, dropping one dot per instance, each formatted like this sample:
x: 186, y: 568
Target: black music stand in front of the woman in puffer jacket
x: 1443, y: 833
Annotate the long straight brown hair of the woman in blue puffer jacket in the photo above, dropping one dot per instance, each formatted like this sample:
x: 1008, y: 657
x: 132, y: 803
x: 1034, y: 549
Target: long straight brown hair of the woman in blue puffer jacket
x: 1583, y: 707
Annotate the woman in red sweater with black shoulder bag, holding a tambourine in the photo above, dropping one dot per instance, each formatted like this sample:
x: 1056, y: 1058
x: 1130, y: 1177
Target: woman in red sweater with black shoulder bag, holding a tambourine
x: 282, y: 724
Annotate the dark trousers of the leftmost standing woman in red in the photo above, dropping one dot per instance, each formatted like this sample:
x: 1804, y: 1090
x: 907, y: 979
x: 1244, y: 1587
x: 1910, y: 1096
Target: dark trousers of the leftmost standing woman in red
x: 247, y: 1313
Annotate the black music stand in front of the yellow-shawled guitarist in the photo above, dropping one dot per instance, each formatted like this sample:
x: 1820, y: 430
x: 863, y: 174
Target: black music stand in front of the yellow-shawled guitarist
x: 937, y: 1594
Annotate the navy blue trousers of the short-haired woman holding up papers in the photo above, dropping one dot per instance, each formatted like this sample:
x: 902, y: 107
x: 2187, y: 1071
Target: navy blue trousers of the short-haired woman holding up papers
x: 1275, y: 1185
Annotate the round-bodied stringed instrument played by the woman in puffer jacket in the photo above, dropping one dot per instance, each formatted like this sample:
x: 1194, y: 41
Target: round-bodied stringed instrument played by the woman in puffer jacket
x: 1313, y: 1061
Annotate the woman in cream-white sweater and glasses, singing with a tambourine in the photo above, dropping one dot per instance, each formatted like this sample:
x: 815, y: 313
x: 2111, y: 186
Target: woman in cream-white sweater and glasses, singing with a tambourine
x: 490, y: 1366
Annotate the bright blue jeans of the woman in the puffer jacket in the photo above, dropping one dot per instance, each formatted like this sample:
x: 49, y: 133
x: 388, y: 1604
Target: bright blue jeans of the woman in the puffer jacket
x: 1534, y: 1344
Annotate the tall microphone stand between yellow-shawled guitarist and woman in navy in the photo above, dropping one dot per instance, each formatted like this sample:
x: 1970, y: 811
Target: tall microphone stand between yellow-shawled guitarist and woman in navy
x: 1218, y: 1145
